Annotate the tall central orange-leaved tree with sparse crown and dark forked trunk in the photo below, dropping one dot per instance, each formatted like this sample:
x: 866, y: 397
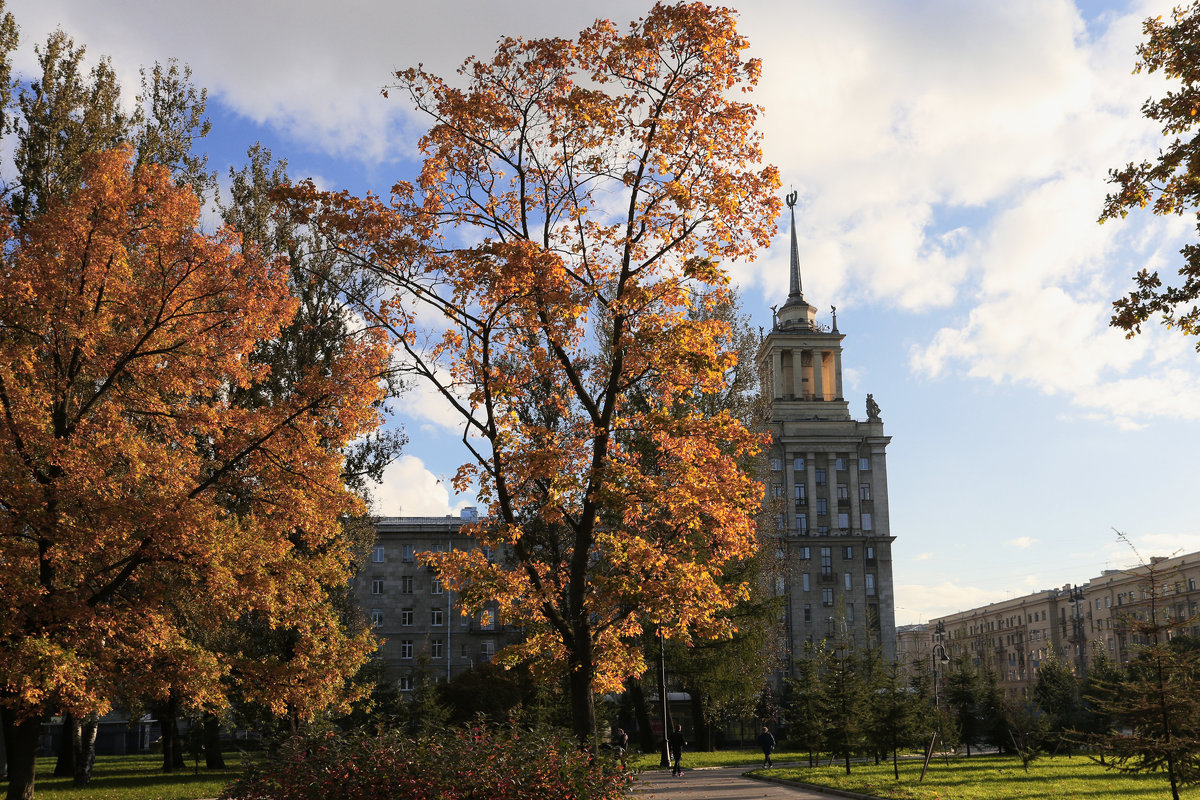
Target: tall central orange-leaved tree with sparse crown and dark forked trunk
x: 573, y: 202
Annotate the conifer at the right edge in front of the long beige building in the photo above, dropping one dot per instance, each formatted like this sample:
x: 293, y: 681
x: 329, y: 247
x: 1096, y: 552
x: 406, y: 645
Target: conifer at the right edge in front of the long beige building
x: 1159, y: 705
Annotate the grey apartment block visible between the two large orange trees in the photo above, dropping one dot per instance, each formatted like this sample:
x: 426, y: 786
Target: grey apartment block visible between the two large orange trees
x: 421, y: 625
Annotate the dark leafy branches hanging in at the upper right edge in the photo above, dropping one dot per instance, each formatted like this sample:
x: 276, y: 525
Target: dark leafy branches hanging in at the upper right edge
x: 1169, y: 184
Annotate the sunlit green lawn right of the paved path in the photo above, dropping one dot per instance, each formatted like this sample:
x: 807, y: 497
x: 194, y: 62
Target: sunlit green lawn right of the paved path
x: 988, y: 778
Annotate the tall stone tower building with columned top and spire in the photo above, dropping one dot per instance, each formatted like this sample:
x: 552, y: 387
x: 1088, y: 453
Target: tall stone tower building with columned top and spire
x: 827, y: 482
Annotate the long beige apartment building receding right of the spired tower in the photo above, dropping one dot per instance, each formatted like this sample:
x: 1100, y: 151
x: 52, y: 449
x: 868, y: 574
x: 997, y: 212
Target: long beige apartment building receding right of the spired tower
x: 1072, y: 624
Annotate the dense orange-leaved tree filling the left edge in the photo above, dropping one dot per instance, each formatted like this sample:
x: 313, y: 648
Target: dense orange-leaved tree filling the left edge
x: 123, y: 336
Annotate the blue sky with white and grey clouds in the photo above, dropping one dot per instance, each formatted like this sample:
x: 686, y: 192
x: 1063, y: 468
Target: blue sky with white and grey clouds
x: 951, y: 161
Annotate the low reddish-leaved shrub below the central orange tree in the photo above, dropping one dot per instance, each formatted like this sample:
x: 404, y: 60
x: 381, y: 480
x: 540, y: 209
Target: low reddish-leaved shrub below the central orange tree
x: 470, y: 763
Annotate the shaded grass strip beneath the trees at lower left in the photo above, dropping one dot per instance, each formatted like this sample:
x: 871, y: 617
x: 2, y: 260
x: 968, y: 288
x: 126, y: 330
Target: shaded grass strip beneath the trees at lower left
x: 134, y: 778
